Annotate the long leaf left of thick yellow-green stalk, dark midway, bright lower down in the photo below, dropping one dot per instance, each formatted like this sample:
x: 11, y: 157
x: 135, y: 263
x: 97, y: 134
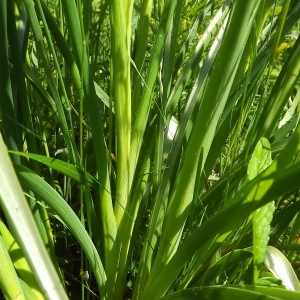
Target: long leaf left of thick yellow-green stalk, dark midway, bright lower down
x: 94, y: 115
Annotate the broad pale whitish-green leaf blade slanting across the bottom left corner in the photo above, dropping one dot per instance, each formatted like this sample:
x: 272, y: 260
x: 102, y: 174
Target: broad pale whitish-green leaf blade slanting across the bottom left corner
x: 21, y: 222
